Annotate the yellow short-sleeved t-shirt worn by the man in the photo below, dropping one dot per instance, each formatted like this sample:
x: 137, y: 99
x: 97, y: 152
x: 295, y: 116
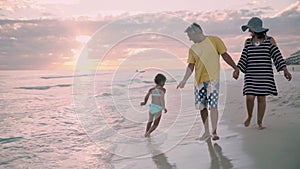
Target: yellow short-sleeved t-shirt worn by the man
x: 206, y: 57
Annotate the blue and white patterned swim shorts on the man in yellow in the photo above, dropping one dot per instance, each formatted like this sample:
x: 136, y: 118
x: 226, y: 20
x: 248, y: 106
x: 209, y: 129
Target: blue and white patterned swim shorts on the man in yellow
x: 207, y: 93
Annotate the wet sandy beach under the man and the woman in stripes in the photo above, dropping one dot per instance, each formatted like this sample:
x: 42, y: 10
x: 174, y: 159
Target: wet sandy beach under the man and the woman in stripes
x: 275, y: 147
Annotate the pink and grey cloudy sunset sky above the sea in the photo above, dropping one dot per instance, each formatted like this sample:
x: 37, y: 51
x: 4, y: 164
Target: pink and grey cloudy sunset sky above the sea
x: 50, y: 34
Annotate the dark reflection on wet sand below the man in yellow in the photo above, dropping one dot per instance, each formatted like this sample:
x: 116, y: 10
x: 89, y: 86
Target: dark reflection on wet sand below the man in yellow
x: 218, y: 160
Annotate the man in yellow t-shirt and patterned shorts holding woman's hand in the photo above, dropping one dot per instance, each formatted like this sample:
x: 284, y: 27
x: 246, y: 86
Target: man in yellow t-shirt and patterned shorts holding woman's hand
x: 204, y: 57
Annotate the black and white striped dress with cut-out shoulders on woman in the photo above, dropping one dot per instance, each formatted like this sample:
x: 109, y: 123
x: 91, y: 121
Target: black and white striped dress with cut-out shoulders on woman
x: 256, y: 64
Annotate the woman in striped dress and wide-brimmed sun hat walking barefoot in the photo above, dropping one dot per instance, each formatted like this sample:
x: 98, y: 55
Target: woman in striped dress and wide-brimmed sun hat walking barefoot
x: 256, y: 63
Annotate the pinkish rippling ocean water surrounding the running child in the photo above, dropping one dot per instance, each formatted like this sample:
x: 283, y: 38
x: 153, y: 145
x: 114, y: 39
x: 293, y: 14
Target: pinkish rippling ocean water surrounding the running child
x: 66, y: 119
